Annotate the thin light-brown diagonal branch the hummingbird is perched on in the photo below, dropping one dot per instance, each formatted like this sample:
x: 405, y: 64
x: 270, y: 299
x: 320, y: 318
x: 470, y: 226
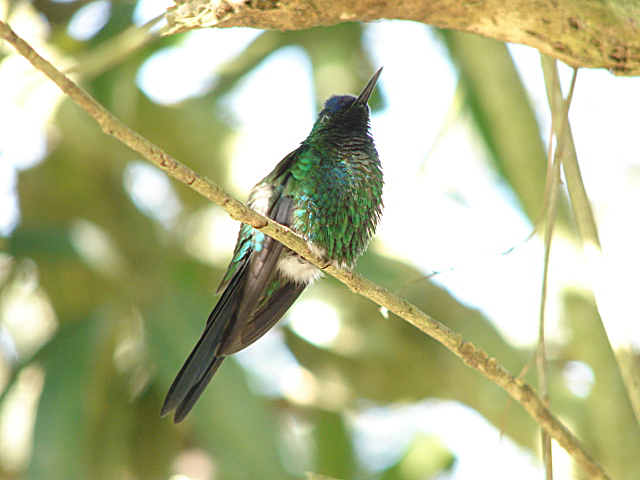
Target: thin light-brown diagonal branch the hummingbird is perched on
x: 470, y: 354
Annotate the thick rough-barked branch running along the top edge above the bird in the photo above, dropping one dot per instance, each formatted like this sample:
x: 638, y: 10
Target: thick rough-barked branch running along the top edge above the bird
x: 581, y: 33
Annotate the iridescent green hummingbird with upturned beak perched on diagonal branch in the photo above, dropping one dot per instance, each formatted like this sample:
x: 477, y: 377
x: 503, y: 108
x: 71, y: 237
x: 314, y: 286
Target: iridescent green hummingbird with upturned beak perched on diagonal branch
x: 328, y: 191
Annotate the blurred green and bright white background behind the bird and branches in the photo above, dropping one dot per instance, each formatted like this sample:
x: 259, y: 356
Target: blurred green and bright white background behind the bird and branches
x: 108, y: 268
